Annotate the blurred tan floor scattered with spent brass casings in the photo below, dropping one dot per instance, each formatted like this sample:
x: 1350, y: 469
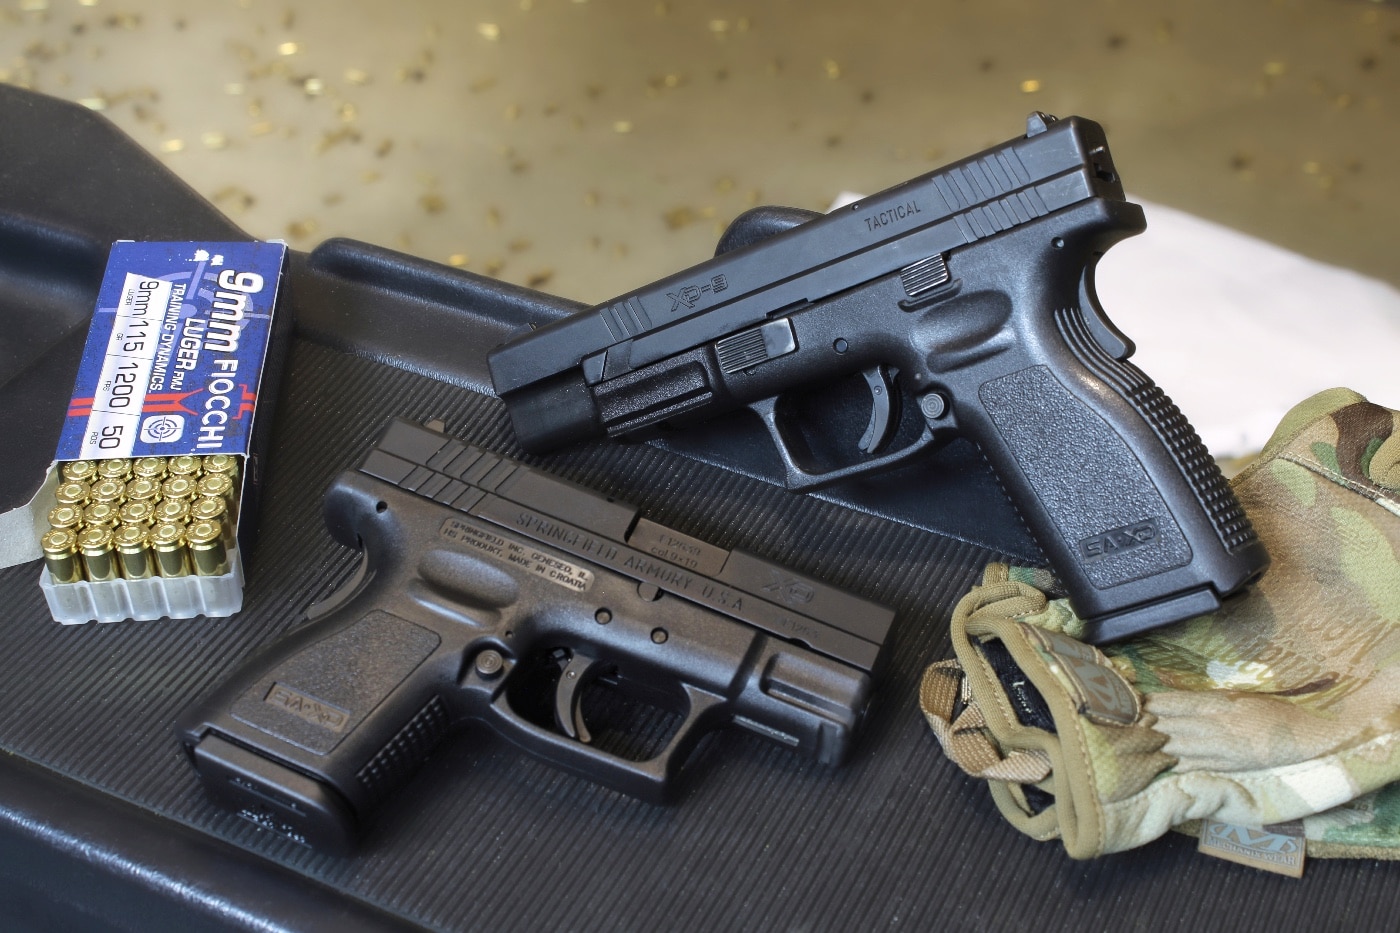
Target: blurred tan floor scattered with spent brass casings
x: 590, y: 146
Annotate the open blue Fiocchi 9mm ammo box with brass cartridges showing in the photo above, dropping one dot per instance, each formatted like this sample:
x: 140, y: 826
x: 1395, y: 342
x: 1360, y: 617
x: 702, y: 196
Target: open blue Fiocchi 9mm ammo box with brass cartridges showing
x: 159, y: 448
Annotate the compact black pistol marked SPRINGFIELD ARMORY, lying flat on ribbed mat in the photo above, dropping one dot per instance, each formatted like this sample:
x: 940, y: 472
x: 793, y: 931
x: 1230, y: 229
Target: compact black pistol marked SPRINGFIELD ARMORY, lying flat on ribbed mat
x: 492, y: 592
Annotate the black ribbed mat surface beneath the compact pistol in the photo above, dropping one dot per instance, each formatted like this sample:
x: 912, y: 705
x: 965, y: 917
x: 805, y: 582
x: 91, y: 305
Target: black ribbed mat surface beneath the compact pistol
x: 489, y: 838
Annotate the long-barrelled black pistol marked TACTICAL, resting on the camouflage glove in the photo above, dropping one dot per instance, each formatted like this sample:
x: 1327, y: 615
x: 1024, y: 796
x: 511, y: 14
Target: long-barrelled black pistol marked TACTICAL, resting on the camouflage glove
x: 961, y: 303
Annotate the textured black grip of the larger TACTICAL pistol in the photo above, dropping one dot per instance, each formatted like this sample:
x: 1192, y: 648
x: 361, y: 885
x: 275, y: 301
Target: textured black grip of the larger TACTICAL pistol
x: 1125, y: 499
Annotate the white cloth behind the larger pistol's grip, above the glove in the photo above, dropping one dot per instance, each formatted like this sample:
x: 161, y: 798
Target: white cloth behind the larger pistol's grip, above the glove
x: 1238, y: 331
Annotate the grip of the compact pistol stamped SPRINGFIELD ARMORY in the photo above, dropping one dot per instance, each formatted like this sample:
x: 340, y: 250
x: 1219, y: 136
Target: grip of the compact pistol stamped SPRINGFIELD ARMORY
x: 310, y: 736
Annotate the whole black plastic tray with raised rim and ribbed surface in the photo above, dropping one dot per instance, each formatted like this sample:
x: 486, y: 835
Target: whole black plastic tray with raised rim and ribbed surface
x: 104, y: 824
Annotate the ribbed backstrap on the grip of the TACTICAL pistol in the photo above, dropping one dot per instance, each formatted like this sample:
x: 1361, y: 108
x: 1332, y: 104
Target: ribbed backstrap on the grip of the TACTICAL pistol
x: 1212, y: 490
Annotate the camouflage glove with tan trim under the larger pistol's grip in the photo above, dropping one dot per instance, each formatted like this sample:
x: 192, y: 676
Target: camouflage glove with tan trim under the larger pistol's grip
x: 1284, y: 705
